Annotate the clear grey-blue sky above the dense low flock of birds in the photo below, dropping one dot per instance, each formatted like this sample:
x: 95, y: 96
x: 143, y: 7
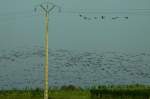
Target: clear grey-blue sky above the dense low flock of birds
x: 20, y: 26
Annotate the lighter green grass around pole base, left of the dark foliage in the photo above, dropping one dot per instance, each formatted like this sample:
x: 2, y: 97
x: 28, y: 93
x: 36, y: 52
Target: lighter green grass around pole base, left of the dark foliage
x: 37, y: 94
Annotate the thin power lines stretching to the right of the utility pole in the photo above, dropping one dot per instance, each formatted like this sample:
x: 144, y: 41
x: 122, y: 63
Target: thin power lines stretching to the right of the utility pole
x: 136, y: 11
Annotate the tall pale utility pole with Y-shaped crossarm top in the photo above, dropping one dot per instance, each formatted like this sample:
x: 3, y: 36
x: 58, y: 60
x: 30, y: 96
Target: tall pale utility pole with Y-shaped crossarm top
x: 46, y: 7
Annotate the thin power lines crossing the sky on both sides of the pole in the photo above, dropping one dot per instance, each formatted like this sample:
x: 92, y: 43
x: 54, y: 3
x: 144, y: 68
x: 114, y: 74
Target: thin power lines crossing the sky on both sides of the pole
x: 87, y: 11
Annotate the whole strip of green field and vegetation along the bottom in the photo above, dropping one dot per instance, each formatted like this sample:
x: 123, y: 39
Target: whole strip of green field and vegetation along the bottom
x: 71, y: 92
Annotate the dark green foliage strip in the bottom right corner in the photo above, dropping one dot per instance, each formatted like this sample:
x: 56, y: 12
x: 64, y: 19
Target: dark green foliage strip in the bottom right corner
x: 121, y: 92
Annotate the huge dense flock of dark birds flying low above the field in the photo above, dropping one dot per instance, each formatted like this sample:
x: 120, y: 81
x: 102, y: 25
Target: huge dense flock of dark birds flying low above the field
x: 24, y: 68
